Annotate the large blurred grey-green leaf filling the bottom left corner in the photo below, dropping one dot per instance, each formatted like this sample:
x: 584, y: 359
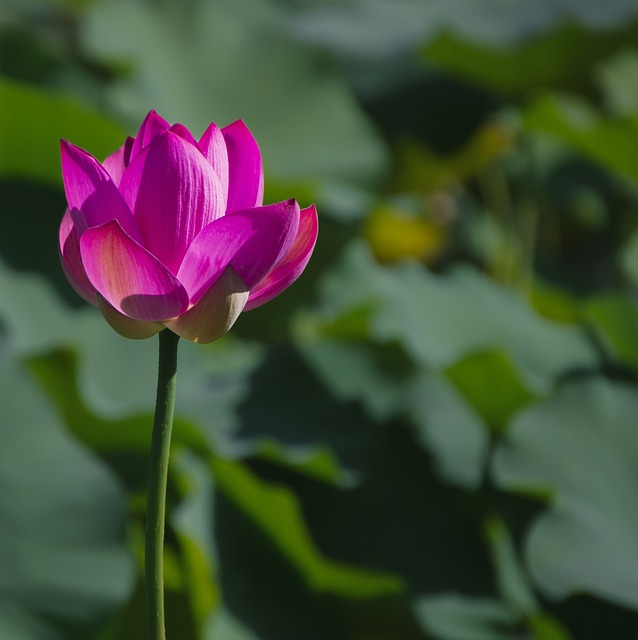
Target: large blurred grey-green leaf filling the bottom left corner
x: 64, y: 563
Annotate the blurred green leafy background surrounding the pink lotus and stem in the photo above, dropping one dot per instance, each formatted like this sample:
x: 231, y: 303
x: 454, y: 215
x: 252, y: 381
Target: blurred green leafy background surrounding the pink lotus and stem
x: 433, y: 433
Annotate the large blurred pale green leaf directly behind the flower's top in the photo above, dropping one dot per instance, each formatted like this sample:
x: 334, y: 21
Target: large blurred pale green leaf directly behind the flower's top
x: 234, y: 59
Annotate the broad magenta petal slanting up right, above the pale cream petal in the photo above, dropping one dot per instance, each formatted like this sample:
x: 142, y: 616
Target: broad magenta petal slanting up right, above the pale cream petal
x: 251, y: 241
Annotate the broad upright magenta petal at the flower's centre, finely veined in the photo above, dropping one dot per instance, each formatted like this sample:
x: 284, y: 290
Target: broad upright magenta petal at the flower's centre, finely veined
x: 173, y: 193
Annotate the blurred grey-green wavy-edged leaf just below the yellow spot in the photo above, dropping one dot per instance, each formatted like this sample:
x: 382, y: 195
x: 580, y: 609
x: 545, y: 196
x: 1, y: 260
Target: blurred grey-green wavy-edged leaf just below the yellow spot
x: 441, y: 319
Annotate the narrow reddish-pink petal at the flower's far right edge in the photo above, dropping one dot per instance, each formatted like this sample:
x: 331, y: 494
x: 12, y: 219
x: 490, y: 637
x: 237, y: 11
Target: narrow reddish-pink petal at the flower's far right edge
x: 290, y: 267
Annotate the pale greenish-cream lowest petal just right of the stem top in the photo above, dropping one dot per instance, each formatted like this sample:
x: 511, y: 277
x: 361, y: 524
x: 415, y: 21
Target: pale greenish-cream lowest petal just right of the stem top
x: 216, y: 311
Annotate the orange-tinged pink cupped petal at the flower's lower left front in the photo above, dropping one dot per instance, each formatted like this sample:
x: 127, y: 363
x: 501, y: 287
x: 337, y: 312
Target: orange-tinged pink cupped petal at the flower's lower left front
x: 129, y: 277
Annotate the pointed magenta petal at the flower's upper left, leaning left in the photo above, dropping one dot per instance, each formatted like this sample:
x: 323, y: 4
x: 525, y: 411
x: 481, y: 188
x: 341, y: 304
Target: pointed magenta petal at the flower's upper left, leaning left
x: 89, y: 188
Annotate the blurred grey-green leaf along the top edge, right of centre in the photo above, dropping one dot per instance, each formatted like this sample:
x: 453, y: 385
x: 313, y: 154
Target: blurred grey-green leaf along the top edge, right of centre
x: 376, y: 28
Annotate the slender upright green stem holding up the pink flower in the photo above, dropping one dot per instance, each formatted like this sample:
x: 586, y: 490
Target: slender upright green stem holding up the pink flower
x: 157, y: 478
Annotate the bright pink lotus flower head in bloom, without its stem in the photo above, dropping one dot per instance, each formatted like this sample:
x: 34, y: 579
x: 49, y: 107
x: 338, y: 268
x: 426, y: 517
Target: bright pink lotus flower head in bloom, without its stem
x: 171, y: 232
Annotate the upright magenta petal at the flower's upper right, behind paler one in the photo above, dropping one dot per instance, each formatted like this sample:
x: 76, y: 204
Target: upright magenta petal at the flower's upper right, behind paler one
x: 246, y: 172
